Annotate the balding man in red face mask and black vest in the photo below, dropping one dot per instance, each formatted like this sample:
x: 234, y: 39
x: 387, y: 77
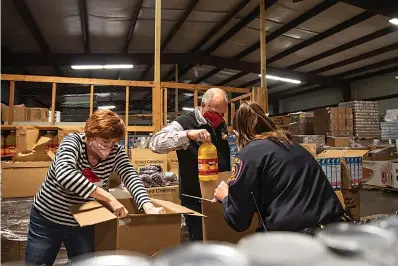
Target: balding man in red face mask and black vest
x: 185, y: 135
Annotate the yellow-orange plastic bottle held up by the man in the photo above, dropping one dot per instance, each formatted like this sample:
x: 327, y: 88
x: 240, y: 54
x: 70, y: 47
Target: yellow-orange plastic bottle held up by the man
x: 207, y: 162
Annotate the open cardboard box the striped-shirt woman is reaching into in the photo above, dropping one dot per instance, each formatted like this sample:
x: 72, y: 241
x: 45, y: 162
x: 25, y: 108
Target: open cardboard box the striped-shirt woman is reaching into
x: 143, y: 233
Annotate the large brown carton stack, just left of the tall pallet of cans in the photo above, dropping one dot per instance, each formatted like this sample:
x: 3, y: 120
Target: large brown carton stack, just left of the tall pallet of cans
x: 333, y: 122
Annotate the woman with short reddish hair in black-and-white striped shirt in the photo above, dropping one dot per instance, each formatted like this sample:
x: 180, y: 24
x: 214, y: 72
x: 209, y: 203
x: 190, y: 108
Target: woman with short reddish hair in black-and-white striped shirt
x: 79, y: 173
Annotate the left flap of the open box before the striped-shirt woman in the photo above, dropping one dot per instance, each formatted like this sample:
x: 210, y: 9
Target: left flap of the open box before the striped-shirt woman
x: 91, y: 213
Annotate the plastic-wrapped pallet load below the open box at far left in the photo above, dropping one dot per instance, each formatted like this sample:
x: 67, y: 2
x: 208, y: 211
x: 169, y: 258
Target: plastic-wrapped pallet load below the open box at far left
x: 15, y: 218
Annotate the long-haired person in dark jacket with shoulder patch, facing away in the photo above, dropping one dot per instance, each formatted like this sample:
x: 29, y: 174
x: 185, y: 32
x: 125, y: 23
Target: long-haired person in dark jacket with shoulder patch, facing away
x: 281, y: 177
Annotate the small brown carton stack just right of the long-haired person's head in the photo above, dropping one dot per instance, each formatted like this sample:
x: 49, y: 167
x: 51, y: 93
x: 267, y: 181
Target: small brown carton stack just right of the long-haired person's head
x: 302, y: 123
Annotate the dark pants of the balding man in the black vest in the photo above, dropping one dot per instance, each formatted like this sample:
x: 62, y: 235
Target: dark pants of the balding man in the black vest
x: 194, y: 223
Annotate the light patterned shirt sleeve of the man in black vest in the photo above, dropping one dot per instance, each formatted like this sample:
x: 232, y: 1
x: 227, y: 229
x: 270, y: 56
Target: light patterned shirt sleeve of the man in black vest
x: 172, y: 137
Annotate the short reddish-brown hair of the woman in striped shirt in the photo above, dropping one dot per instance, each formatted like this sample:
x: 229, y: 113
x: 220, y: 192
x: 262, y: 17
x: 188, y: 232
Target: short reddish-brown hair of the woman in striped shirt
x: 105, y: 124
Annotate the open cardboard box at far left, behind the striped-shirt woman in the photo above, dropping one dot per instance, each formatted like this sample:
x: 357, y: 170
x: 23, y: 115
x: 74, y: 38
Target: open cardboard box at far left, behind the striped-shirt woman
x: 23, y: 176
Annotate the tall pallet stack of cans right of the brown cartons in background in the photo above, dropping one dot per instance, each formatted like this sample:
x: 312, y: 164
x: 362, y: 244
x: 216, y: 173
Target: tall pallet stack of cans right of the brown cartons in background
x: 365, y: 117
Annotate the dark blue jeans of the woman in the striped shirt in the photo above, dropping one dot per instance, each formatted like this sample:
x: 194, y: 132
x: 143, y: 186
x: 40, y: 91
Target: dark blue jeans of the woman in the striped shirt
x: 45, y: 238
